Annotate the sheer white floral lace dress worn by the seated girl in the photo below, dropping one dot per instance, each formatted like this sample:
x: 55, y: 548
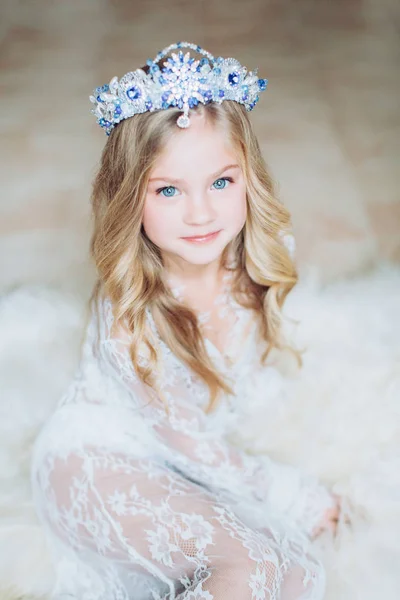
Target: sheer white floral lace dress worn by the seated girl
x: 140, y: 505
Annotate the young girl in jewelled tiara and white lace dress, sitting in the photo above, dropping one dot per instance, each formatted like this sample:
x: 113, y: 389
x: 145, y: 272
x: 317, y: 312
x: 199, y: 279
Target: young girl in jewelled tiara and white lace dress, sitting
x: 134, y: 478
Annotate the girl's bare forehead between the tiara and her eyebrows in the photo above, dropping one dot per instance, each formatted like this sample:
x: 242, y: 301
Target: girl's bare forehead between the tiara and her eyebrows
x: 199, y: 150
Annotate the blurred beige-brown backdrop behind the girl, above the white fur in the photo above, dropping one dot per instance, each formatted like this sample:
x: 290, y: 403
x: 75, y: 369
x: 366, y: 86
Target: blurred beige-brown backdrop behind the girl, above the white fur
x: 329, y: 123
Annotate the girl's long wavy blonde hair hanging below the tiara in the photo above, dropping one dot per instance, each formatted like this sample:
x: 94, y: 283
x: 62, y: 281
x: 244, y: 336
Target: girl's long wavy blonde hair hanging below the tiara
x: 130, y: 266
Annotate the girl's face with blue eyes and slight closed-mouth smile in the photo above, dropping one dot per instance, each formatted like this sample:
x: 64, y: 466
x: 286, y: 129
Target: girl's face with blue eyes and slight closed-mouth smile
x: 196, y: 188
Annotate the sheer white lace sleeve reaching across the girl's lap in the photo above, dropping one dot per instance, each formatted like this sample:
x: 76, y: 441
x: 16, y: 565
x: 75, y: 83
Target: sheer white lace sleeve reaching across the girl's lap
x: 204, y: 454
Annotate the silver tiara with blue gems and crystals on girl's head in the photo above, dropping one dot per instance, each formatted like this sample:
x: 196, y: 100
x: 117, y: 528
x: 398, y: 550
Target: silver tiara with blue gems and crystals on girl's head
x: 181, y: 82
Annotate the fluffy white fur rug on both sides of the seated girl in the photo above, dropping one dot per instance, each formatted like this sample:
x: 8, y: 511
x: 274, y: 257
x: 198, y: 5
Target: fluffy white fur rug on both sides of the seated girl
x: 340, y: 419
